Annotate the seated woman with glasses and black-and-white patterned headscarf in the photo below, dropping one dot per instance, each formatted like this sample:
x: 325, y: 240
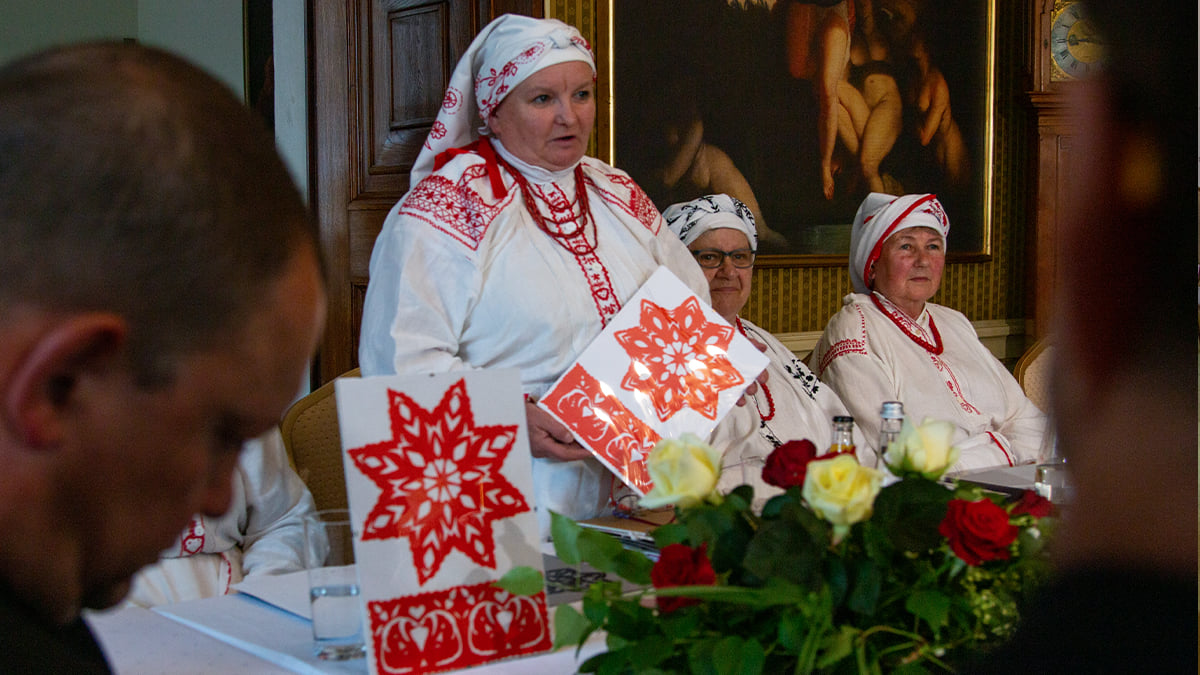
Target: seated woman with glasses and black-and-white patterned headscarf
x: 793, y: 404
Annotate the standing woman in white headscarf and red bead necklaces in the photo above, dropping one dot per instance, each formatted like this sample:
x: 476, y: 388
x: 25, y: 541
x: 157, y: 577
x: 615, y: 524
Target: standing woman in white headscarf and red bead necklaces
x: 513, y: 249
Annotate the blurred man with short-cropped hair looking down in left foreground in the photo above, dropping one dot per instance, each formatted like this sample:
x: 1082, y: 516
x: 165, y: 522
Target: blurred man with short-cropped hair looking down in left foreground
x: 161, y: 294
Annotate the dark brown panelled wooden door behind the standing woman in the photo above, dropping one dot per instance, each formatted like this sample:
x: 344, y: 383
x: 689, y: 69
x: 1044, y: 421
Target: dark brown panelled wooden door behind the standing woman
x: 379, y: 71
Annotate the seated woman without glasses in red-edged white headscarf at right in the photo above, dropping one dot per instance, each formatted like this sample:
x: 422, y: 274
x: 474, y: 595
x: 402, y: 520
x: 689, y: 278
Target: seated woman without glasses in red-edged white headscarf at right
x: 889, y: 343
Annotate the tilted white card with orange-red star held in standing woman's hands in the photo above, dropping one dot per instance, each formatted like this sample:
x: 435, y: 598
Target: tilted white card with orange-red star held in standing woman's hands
x: 665, y: 366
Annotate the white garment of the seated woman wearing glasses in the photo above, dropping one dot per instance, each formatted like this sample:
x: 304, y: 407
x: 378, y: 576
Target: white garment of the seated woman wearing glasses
x: 793, y: 405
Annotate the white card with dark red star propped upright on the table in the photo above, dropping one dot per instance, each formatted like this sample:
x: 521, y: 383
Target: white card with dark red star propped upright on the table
x: 440, y: 482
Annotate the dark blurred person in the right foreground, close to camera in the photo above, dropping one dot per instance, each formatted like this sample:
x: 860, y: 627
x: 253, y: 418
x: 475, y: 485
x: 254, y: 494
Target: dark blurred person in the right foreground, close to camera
x: 1125, y: 371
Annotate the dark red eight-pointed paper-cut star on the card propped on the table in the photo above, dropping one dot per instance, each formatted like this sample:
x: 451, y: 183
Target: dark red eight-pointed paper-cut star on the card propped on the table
x: 441, y: 481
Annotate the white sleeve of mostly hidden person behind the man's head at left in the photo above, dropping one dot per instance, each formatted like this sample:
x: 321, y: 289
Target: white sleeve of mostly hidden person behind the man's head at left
x: 261, y: 534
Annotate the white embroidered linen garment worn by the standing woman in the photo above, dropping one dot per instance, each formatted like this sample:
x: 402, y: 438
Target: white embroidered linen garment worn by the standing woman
x: 465, y: 279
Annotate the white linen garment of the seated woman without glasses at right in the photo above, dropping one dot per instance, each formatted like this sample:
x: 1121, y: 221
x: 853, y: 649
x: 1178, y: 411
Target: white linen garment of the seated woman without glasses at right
x: 867, y: 359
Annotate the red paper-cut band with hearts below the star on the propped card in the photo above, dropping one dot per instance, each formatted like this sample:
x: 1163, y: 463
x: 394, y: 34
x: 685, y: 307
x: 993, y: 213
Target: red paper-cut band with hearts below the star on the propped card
x: 454, y: 629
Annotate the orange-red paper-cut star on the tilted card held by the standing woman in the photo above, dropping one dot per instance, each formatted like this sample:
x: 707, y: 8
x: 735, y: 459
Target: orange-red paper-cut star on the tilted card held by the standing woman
x: 679, y: 360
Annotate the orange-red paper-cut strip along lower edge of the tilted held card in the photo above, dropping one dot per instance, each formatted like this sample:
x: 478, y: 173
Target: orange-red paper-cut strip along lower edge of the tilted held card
x: 605, y: 426
